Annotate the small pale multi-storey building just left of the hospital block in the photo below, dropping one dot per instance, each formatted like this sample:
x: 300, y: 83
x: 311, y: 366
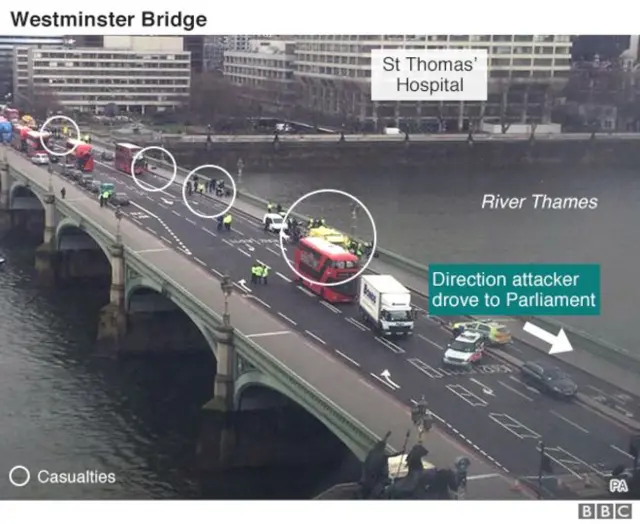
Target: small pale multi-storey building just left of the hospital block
x: 266, y: 67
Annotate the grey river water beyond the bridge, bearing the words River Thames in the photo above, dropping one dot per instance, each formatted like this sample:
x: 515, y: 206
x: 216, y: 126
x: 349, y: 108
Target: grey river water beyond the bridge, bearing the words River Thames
x: 435, y: 216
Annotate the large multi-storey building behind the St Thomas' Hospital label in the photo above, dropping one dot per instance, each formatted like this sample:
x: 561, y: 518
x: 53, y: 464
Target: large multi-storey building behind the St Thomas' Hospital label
x: 334, y: 75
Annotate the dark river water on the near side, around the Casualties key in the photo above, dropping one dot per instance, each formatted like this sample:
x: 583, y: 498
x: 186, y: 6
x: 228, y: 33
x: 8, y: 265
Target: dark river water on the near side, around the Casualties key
x: 64, y: 409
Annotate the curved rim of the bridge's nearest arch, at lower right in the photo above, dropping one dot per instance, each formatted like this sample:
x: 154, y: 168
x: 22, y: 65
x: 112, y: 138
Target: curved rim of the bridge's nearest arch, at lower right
x: 256, y: 378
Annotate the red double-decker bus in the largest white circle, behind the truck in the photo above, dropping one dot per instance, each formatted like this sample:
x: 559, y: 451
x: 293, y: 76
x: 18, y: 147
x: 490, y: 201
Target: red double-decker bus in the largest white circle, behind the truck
x: 322, y: 261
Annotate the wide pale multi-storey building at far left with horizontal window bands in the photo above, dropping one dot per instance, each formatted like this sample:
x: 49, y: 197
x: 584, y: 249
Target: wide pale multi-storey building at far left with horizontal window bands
x: 135, y: 74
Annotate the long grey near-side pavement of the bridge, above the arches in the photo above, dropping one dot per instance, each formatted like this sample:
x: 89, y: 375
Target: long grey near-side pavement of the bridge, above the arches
x: 373, y: 407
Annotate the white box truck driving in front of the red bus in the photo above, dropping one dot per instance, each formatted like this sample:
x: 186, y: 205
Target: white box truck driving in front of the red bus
x: 385, y: 304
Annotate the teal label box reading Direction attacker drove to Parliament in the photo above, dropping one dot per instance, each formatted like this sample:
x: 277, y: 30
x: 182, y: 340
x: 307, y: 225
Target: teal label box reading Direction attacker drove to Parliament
x: 514, y: 289
